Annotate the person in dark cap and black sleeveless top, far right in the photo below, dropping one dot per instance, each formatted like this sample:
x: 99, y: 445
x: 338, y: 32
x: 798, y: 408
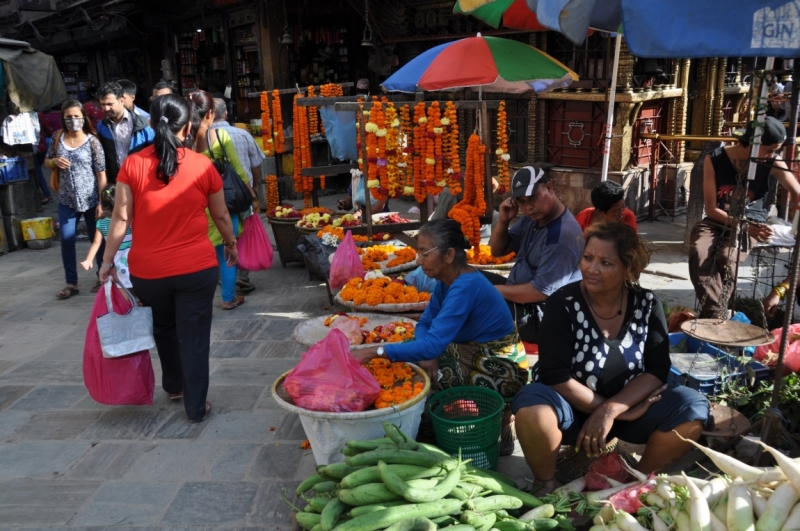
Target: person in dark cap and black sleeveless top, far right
x: 713, y: 257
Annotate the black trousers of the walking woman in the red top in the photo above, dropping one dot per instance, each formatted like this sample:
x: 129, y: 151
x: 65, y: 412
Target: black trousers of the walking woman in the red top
x: 182, y: 307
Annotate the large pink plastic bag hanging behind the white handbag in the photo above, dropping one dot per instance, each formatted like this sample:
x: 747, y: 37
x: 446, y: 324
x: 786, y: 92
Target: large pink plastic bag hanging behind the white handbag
x: 120, y: 381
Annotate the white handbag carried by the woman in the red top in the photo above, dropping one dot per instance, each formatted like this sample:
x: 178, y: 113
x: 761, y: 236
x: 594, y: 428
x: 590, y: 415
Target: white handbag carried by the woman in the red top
x: 121, y: 335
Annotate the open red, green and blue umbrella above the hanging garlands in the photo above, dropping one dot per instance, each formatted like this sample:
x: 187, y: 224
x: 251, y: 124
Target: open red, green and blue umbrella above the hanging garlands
x: 490, y: 63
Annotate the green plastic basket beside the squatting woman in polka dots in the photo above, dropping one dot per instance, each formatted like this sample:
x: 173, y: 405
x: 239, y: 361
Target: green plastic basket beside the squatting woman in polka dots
x: 468, y: 418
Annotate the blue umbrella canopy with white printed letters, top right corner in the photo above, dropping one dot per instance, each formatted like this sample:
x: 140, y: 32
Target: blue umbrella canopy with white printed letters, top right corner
x: 682, y: 28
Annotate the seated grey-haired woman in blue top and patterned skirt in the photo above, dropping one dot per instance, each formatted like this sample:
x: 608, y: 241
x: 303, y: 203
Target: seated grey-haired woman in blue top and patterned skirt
x: 466, y: 331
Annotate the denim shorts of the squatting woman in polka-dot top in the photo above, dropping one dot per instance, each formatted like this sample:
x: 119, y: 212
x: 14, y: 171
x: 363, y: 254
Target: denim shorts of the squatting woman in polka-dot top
x: 677, y: 406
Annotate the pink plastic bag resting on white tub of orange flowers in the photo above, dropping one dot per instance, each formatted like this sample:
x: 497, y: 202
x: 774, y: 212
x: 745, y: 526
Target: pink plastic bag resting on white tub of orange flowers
x: 329, y: 378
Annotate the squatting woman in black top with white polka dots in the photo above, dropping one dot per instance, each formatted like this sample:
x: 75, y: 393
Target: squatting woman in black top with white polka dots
x: 603, y: 365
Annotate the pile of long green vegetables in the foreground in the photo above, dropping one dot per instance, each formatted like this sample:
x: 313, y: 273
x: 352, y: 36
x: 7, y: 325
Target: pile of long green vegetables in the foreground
x: 396, y: 483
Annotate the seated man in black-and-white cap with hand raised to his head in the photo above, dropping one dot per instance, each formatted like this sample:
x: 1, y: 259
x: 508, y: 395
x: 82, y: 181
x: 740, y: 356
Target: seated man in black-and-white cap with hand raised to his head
x: 548, y: 242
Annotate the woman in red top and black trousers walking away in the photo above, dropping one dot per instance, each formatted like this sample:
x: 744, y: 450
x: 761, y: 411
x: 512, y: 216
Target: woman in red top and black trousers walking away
x: 165, y: 189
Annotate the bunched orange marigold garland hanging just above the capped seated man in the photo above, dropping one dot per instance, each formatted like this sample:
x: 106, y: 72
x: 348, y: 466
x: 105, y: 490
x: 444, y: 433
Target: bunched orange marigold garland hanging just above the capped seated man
x: 469, y: 210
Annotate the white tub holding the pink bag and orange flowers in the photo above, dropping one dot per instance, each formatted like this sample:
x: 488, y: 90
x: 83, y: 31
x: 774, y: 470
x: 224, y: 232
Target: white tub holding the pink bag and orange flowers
x: 328, y: 432
